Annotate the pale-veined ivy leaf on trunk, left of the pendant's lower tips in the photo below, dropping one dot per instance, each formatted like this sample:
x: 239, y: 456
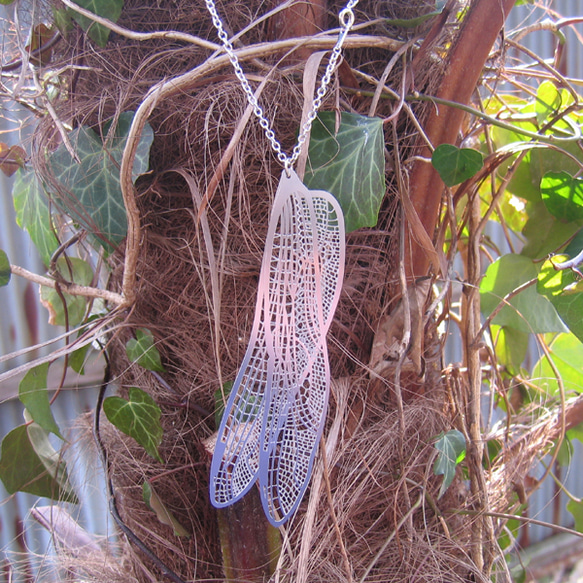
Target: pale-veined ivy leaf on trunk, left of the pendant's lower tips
x: 138, y: 417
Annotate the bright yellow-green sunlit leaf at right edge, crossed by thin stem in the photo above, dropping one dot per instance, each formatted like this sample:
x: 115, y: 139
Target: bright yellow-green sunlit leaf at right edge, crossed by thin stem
x: 567, y: 354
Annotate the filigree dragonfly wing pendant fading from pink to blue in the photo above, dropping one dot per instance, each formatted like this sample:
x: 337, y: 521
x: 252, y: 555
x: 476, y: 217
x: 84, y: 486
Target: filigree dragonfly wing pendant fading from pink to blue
x: 277, y: 407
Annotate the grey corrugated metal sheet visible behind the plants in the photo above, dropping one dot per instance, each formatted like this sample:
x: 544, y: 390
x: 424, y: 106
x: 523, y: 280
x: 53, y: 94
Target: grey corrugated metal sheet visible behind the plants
x: 23, y: 322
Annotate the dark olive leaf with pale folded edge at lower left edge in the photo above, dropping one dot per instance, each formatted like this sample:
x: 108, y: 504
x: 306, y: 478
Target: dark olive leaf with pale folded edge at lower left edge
x: 37, y: 469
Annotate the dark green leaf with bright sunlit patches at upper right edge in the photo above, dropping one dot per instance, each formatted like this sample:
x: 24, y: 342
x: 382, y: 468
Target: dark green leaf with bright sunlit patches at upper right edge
x: 563, y: 195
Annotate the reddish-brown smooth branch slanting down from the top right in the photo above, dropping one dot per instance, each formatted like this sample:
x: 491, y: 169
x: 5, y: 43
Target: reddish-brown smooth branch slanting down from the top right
x: 465, y: 63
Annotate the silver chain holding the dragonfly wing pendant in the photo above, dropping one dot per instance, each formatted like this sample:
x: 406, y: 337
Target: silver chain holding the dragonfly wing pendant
x: 346, y: 18
